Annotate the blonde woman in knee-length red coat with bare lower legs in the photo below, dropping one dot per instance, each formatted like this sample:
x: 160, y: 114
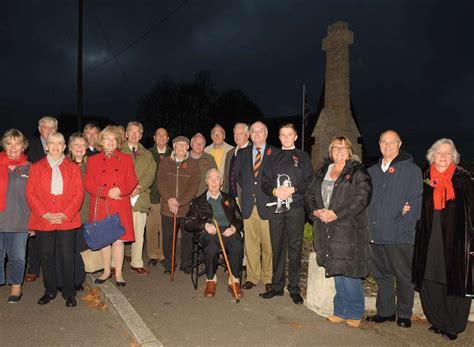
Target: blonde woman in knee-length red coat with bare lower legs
x: 114, y: 172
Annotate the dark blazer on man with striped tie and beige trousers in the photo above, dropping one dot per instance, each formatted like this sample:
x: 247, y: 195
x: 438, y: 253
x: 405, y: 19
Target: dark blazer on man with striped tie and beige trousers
x: 251, y: 190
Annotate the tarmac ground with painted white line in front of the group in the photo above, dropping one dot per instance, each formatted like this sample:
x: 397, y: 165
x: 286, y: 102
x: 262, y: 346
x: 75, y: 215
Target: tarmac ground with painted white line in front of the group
x: 152, y: 311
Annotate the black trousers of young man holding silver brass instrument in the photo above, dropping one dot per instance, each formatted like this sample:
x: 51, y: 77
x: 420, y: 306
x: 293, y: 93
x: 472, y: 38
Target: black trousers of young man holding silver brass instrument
x: 286, y: 232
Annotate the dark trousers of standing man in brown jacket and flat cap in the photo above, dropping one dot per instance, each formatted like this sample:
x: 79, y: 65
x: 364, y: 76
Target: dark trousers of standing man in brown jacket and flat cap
x: 186, y: 243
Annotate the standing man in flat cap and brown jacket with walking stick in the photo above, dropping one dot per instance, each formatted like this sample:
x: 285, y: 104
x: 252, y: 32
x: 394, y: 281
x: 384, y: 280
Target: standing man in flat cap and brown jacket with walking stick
x: 178, y: 180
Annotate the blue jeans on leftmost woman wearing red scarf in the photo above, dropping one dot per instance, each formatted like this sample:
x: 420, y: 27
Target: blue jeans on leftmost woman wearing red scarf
x: 13, y: 245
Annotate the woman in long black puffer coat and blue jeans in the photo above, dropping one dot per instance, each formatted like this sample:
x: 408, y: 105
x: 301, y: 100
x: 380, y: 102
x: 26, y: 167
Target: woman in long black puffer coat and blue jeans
x: 337, y: 202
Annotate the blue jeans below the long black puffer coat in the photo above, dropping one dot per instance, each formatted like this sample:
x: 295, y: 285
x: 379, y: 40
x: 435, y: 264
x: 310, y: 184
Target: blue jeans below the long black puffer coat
x: 349, y: 301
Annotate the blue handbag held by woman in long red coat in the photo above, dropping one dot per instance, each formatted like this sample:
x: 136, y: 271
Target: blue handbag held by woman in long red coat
x: 101, y: 233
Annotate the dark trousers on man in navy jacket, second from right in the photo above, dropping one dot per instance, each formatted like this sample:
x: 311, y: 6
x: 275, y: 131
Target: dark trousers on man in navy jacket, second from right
x: 391, y: 267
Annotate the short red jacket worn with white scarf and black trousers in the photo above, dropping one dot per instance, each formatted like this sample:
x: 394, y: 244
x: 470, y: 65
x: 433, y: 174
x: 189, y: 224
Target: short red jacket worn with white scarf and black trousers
x: 41, y: 201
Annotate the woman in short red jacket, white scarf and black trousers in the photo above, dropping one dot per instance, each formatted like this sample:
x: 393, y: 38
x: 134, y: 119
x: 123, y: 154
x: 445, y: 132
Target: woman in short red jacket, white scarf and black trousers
x: 55, y: 198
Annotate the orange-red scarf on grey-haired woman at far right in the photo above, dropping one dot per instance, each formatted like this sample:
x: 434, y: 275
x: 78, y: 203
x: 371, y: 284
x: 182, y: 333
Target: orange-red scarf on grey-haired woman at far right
x: 443, y: 186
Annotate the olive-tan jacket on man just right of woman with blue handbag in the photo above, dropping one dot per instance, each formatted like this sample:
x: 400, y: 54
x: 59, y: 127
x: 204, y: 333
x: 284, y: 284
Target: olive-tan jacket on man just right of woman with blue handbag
x: 145, y: 169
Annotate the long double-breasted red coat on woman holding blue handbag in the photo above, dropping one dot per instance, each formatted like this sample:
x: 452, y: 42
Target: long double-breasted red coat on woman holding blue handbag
x: 115, y: 171
